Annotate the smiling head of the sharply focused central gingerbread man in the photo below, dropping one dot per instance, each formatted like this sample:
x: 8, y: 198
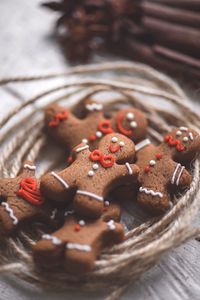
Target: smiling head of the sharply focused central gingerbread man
x: 121, y: 148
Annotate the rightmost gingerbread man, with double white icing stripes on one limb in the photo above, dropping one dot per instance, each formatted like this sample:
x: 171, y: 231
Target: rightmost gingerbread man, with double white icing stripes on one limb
x: 161, y: 170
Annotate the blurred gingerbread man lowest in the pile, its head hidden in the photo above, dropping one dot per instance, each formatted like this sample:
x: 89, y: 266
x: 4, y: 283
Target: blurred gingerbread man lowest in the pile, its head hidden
x: 79, y: 242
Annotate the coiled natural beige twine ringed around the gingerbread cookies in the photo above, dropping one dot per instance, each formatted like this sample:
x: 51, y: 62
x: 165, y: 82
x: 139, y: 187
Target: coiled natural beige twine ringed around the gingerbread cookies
x: 124, y: 263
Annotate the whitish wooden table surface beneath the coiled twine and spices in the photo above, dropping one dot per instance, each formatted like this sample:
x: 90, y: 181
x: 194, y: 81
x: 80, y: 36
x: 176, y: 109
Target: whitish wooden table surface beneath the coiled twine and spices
x: 28, y: 47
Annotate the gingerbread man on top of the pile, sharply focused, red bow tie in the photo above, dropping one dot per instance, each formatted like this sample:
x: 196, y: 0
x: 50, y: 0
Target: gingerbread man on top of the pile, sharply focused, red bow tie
x: 92, y: 174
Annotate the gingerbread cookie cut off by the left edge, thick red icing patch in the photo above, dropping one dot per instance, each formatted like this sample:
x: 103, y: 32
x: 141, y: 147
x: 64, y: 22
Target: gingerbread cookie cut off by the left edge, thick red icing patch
x: 21, y: 201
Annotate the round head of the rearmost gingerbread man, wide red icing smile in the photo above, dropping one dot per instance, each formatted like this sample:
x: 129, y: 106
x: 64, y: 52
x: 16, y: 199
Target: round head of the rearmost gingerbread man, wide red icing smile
x: 132, y: 123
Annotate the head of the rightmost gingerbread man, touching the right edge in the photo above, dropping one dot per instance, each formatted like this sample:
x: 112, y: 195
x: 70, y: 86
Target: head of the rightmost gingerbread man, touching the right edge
x: 182, y: 143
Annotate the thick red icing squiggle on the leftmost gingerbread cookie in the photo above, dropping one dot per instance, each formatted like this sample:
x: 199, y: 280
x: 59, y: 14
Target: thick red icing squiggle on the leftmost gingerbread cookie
x: 30, y: 192
